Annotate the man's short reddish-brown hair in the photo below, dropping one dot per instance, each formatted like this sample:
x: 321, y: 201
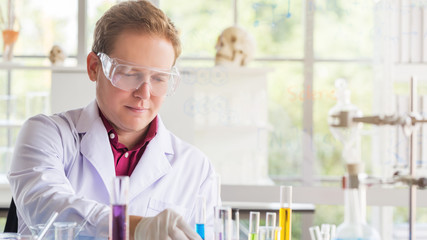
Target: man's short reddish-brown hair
x: 139, y: 16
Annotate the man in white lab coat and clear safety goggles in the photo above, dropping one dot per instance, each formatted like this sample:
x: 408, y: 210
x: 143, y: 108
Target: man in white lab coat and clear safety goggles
x: 66, y: 162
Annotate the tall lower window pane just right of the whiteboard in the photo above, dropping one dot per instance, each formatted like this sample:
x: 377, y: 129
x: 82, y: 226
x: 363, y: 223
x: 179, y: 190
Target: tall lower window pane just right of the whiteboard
x: 285, y: 119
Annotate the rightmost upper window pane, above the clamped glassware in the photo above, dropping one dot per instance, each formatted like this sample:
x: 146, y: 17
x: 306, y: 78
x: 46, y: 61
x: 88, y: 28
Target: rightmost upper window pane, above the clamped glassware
x: 343, y: 29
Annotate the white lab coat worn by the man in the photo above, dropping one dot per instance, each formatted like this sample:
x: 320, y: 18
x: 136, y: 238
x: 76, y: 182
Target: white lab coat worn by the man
x: 64, y: 163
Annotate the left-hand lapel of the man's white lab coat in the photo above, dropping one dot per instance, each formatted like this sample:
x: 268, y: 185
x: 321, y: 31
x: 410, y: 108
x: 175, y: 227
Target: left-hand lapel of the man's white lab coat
x: 95, y: 145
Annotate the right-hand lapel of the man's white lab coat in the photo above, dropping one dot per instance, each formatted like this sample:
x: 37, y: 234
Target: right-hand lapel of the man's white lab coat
x: 154, y: 163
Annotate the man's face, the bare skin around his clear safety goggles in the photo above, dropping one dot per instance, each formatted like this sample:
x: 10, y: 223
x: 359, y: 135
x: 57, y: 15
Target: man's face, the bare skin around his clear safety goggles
x: 132, y: 111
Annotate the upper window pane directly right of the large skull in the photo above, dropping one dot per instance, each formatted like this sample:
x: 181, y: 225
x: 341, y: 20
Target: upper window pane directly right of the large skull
x: 276, y: 25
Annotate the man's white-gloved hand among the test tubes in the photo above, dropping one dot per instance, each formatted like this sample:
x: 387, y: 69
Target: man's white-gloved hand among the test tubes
x: 167, y: 225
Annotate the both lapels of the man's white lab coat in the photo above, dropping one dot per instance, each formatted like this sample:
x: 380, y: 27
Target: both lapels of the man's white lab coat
x: 153, y: 164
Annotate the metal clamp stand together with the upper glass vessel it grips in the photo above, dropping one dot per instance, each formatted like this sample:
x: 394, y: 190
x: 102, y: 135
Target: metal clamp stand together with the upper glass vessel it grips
x: 345, y: 119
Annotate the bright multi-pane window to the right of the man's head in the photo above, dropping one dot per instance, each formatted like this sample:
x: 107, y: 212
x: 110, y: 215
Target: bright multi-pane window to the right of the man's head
x: 341, y: 48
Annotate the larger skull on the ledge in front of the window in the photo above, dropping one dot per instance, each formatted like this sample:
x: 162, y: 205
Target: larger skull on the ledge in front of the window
x: 235, y: 47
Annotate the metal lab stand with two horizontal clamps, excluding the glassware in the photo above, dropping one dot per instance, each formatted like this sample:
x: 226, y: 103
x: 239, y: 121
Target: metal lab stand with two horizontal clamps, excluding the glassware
x: 342, y: 120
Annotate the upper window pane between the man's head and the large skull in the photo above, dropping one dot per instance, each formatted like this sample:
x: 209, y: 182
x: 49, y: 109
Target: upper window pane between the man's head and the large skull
x: 200, y: 23
